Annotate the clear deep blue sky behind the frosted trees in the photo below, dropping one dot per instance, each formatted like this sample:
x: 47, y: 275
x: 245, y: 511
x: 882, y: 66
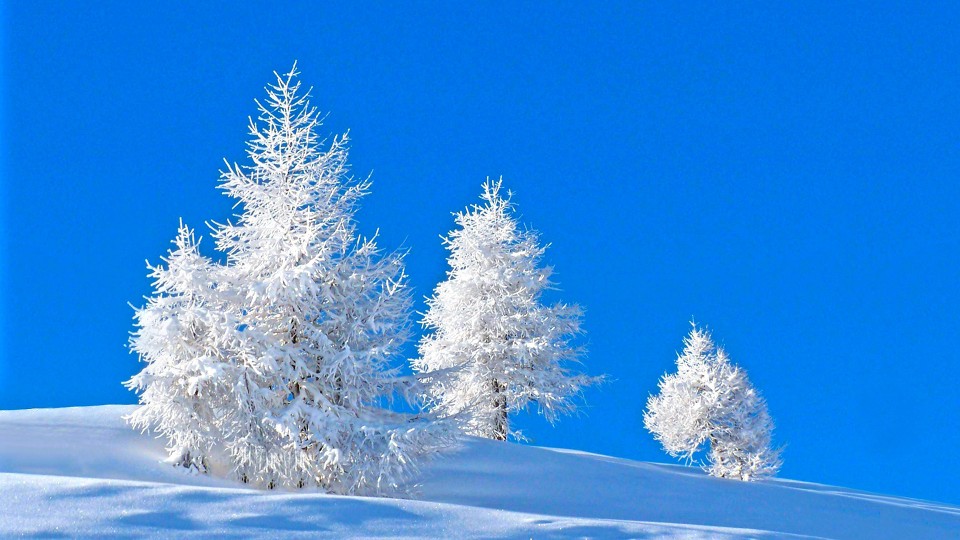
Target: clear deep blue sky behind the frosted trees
x: 785, y: 175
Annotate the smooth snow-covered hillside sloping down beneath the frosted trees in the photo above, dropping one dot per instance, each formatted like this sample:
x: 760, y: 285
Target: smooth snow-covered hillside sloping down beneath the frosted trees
x: 82, y: 472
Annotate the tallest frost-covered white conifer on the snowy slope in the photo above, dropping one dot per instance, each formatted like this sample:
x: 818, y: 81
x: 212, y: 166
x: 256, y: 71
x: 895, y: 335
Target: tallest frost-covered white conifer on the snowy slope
x: 315, y: 316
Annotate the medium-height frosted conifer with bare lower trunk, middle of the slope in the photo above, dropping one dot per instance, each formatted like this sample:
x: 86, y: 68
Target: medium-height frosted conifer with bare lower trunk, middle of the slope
x: 493, y: 347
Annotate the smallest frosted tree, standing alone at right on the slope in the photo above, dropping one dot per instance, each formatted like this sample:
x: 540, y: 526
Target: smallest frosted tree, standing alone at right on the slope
x: 710, y: 399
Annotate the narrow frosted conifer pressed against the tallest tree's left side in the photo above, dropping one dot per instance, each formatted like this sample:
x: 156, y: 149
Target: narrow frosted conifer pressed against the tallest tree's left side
x: 183, y: 334
